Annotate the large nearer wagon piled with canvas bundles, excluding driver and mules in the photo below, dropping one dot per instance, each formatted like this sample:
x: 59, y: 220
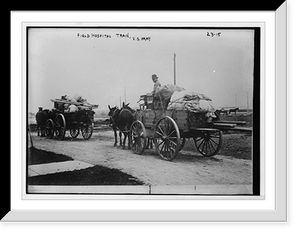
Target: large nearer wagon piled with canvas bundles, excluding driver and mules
x: 168, y: 124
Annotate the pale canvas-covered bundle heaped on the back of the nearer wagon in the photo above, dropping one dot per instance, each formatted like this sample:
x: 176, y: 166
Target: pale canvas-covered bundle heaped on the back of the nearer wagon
x: 191, y: 101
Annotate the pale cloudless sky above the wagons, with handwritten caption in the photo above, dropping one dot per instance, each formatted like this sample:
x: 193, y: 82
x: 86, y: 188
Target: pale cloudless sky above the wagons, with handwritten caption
x: 105, y: 65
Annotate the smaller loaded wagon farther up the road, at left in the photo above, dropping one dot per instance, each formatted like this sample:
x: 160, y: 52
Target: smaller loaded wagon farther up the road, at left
x: 60, y: 119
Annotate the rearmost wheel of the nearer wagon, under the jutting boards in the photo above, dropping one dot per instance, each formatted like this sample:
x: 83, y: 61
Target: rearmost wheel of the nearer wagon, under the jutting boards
x: 209, y: 142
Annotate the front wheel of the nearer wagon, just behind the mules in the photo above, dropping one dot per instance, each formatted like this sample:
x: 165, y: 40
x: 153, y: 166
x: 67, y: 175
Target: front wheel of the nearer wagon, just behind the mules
x: 137, y: 137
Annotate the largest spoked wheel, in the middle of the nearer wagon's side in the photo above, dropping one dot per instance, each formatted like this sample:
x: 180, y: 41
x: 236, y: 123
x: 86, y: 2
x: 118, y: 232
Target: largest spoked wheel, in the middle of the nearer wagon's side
x: 167, y: 138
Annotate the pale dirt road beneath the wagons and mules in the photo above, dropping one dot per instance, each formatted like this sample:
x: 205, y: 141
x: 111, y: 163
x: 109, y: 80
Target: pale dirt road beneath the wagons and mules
x: 189, y: 168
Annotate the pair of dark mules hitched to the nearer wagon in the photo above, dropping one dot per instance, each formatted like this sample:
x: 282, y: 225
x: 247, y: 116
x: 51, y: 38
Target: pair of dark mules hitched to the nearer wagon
x: 121, y: 120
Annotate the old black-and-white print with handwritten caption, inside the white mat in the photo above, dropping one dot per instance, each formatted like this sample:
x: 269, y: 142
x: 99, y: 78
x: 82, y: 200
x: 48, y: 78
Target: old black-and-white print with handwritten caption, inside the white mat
x: 143, y: 110
